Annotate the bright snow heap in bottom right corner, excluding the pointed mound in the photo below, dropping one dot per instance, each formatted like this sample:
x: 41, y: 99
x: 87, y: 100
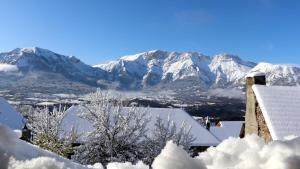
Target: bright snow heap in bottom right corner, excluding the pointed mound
x: 253, y: 153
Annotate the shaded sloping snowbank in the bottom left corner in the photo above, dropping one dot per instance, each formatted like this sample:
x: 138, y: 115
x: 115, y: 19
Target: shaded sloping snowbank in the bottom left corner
x: 18, y: 154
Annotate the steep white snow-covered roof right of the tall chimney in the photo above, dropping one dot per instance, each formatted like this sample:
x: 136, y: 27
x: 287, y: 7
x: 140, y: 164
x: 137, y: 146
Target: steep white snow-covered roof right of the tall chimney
x: 280, y: 106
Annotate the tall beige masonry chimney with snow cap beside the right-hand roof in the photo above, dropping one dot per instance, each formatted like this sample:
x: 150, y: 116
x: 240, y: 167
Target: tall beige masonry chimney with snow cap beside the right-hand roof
x: 255, y: 78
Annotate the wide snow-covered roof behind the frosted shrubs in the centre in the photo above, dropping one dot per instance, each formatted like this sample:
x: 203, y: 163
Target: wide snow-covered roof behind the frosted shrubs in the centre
x: 202, y: 136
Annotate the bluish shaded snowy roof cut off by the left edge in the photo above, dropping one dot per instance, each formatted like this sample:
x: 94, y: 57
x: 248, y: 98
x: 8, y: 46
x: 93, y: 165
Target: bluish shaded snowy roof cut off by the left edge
x: 9, y: 116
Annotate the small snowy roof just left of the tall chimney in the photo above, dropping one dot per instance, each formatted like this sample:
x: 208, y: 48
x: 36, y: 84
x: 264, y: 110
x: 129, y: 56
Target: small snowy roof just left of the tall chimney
x: 227, y: 129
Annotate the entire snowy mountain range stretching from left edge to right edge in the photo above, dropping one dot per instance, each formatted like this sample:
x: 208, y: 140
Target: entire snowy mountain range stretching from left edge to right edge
x: 41, y: 69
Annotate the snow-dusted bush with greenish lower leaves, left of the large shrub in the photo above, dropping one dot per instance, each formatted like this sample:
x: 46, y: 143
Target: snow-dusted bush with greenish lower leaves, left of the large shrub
x: 46, y: 130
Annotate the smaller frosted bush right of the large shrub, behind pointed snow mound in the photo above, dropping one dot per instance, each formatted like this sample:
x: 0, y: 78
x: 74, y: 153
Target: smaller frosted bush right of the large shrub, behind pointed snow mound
x: 164, y: 132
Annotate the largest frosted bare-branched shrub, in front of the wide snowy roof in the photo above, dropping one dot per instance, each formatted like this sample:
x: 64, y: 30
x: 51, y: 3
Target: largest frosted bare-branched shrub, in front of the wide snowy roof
x: 118, y: 132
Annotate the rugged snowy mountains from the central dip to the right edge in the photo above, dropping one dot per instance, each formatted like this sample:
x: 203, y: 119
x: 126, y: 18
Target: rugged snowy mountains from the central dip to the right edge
x: 191, y: 68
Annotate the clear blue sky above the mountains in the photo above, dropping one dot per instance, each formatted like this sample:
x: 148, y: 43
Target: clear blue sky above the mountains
x: 100, y: 30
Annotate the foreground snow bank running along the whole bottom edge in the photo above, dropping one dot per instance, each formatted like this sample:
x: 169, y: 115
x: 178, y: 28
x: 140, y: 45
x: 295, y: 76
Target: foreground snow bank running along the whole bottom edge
x: 234, y: 153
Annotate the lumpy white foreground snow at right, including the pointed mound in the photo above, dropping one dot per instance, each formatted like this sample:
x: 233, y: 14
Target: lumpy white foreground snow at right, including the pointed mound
x: 234, y: 153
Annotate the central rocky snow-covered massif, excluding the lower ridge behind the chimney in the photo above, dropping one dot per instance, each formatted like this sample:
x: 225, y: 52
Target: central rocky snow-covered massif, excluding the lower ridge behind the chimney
x: 162, y: 67
